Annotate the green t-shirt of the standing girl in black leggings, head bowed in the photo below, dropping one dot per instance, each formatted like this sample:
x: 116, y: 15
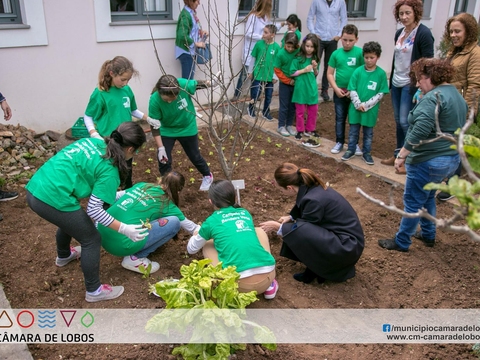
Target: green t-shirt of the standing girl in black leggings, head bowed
x: 178, y: 117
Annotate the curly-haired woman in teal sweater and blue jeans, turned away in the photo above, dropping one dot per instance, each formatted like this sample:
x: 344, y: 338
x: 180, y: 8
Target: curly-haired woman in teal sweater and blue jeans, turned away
x: 427, y: 161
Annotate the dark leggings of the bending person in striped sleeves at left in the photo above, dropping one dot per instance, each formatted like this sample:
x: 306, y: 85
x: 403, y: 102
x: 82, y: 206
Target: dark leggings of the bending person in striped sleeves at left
x: 75, y: 224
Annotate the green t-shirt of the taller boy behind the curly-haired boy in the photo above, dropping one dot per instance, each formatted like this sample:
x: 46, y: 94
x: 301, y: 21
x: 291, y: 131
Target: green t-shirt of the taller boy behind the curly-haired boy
x: 345, y: 63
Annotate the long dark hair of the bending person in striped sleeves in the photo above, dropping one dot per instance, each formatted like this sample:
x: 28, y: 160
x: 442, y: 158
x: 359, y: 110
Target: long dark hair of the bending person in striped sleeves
x: 128, y: 134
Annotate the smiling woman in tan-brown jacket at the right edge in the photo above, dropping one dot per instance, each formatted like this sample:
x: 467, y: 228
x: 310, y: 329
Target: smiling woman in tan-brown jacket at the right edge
x: 461, y: 33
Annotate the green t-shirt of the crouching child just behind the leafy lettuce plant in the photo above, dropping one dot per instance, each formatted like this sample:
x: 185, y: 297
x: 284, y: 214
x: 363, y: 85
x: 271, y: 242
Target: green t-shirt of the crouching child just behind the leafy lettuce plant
x: 235, y: 239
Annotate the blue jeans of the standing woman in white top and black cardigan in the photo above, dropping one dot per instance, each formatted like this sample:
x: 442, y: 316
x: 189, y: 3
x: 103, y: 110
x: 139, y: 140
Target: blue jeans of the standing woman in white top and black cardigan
x: 402, y: 104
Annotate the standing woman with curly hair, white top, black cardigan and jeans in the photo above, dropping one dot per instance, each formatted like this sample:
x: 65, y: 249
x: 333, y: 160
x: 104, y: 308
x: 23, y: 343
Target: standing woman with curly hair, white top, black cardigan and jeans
x: 412, y: 42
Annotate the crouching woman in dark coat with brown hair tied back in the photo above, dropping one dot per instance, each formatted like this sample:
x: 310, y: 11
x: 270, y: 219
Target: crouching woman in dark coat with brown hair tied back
x: 322, y: 231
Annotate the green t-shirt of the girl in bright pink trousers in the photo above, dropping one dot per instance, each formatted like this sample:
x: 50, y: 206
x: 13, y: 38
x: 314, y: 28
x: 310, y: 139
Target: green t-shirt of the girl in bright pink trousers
x: 305, y: 91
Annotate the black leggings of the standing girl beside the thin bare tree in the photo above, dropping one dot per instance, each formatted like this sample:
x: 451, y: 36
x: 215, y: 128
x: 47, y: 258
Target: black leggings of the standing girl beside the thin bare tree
x: 190, y: 145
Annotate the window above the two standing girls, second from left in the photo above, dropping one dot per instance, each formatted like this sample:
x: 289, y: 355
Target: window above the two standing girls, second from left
x: 136, y: 10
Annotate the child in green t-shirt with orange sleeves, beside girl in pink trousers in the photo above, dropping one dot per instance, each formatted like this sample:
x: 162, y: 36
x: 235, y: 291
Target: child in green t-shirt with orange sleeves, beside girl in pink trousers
x: 282, y: 63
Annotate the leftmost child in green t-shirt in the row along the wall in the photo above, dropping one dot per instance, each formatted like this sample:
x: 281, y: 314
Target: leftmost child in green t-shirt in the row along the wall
x: 261, y: 71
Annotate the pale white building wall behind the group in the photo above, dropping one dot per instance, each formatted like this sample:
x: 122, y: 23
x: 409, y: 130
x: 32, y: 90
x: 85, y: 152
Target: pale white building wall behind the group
x: 49, y: 69
